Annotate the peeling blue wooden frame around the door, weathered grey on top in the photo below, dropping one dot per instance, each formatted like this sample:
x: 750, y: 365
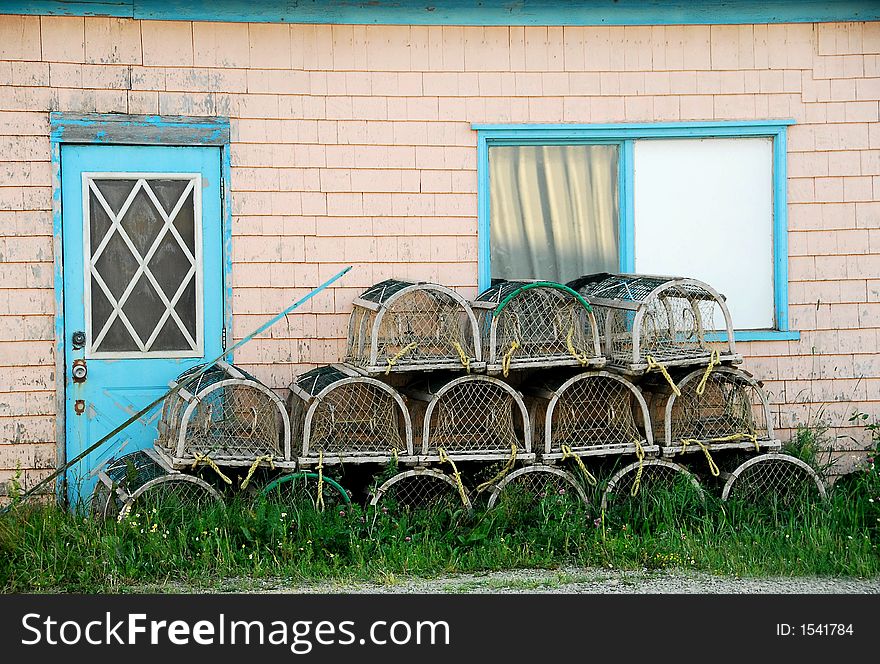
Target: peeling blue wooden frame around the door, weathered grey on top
x: 123, y: 129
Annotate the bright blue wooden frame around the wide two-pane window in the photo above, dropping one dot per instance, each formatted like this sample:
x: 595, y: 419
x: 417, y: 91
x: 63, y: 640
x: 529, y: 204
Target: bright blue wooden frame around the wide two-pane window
x: 625, y: 135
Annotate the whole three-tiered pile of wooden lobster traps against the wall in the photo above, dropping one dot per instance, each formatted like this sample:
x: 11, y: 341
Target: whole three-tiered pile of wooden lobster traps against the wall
x: 603, y: 391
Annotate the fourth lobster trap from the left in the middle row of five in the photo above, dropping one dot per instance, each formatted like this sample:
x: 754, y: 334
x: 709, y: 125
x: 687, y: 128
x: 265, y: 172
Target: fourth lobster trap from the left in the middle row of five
x: 592, y: 414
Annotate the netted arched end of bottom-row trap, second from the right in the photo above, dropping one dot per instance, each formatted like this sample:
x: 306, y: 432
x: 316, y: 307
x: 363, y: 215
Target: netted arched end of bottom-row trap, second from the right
x: 649, y: 488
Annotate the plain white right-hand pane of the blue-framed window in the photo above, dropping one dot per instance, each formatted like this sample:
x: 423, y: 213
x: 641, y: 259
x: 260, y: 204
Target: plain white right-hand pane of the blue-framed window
x: 704, y: 209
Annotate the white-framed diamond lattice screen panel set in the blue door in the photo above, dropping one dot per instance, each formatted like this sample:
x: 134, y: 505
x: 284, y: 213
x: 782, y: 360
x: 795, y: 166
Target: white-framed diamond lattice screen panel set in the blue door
x: 143, y: 258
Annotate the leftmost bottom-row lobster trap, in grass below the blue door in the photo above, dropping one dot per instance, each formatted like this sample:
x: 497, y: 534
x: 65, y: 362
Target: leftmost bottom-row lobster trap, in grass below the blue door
x: 142, y: 485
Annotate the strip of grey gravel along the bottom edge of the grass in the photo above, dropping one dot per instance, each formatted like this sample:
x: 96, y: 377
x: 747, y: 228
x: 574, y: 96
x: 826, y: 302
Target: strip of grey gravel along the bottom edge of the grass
x: 567, y: 580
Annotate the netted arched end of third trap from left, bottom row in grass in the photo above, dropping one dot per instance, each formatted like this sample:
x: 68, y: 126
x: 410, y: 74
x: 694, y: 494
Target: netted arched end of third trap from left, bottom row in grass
x: 420, y: 489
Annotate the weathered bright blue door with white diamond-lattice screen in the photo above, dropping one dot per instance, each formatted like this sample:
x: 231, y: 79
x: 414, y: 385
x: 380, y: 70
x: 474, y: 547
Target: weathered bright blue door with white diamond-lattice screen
x: 143, y: 287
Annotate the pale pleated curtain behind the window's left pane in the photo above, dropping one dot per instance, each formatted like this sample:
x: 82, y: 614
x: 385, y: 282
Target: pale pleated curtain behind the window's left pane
x: 554, y: 211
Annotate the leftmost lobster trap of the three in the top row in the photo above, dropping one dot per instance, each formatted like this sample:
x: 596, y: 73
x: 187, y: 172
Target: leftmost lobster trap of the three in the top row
x: 404, y: 326
